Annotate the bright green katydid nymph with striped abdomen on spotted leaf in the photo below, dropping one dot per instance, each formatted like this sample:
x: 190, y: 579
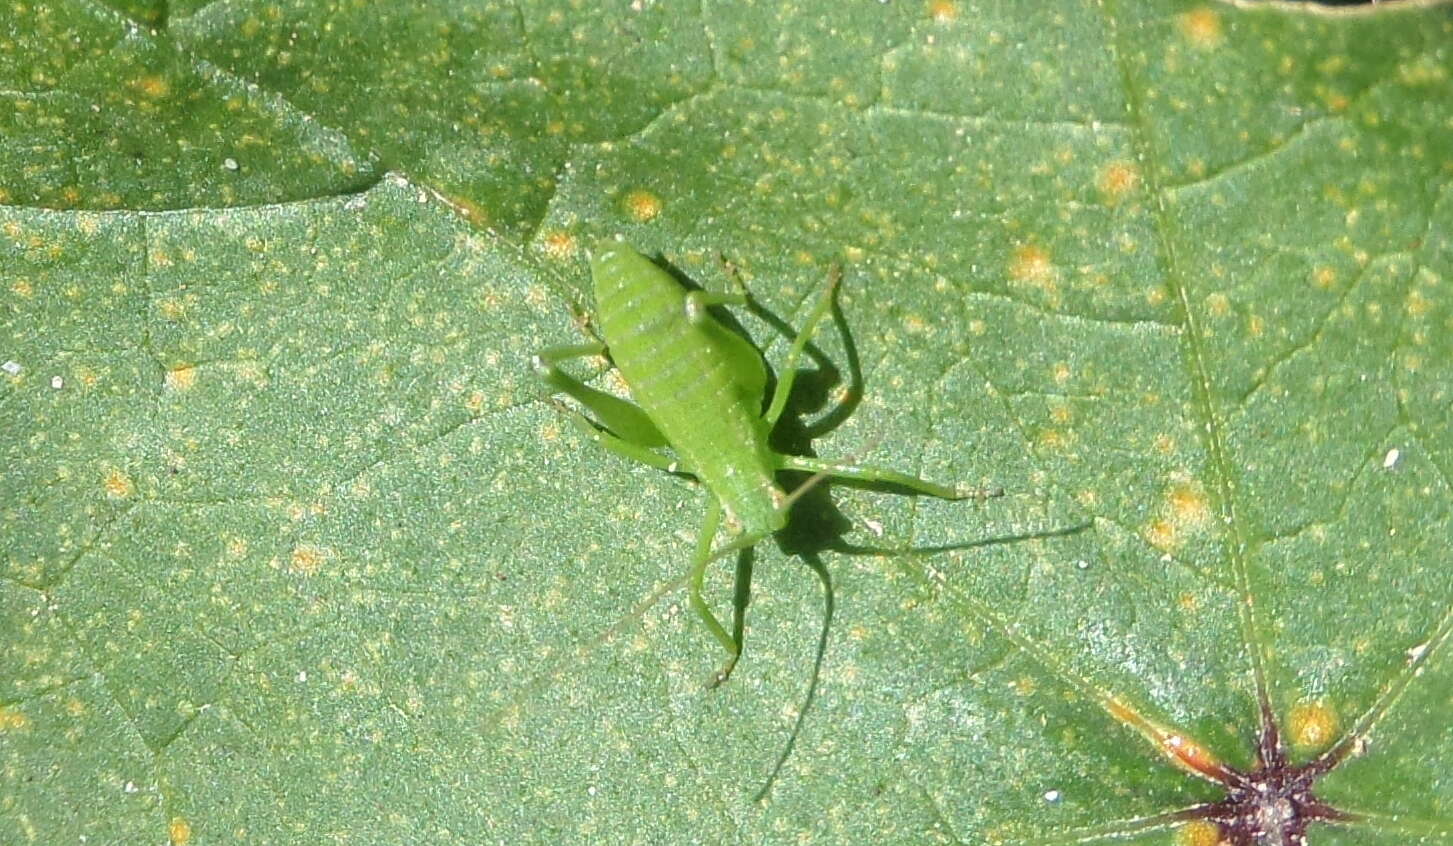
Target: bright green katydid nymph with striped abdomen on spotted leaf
x: 700, y: 390
